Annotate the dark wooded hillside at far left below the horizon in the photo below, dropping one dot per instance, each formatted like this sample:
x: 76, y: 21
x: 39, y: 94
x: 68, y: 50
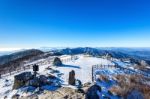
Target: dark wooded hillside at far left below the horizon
x: 15, y: 60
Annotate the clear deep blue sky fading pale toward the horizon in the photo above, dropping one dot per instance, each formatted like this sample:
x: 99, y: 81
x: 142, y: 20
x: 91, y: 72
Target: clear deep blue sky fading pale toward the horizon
x: 74, y: 23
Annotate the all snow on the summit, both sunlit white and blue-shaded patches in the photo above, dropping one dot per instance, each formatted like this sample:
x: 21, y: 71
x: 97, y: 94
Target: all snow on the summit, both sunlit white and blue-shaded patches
x: 81, y: 64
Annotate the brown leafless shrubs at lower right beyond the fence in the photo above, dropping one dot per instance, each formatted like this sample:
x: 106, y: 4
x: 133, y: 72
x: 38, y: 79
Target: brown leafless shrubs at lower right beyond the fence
x: 127, y: 83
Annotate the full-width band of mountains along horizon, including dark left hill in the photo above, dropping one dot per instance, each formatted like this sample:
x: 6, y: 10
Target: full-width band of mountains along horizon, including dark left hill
x: 136, y: 54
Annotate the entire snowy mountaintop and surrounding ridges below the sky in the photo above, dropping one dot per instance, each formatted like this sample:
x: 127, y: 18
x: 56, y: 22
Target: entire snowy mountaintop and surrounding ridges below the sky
x: 99, y: 72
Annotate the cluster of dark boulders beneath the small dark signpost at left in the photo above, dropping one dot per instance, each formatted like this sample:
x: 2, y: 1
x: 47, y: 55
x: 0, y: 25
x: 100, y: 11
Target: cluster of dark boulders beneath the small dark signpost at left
x: 27, y: 79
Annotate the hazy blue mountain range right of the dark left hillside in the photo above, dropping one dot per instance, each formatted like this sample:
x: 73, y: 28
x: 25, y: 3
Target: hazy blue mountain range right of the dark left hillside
x: 135, y: 54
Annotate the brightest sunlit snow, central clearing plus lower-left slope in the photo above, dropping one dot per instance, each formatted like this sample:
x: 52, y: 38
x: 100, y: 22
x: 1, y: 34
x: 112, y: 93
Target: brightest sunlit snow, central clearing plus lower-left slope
x: 82, y: 67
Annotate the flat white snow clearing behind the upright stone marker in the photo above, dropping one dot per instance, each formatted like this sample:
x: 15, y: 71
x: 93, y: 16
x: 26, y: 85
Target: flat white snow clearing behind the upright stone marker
x: 82, y: 67
